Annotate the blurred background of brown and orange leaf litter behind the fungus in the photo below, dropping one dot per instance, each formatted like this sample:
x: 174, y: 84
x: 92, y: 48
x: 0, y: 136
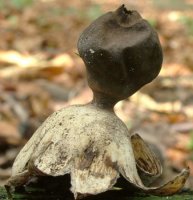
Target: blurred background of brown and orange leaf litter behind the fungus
x: 40, y: 72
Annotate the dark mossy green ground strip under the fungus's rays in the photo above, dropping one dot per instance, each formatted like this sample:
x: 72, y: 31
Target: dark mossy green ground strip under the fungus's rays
x: 37, y: 194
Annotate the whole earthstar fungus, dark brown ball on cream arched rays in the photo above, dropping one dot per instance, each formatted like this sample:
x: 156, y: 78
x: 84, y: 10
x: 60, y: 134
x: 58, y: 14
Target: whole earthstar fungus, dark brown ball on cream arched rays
x: 122, y: 53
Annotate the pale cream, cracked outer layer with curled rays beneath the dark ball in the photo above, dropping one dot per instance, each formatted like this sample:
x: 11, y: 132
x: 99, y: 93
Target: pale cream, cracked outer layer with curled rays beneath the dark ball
x: 94, y: 146
